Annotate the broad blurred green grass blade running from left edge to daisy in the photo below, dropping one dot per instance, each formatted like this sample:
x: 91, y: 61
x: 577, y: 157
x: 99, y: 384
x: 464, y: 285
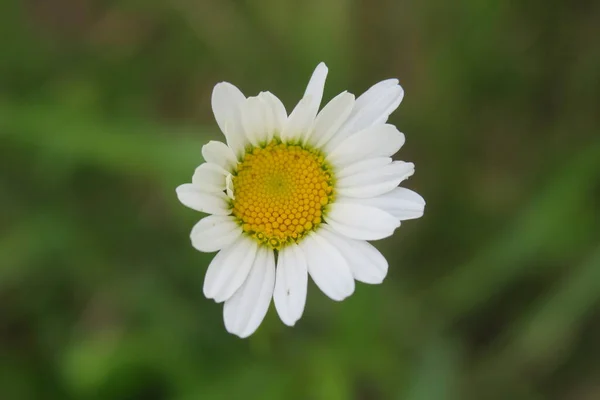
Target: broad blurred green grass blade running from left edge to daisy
x: 128, y: 147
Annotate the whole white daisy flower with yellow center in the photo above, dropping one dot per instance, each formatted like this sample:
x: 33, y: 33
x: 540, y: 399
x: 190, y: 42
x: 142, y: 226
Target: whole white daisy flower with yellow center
x: 297, y: 195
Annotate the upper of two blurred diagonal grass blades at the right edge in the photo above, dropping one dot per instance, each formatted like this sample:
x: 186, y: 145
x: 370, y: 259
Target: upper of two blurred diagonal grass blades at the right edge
x: 543, y: 221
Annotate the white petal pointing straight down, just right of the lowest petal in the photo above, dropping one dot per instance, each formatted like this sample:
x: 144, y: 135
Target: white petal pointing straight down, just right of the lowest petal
x: 291, y: 280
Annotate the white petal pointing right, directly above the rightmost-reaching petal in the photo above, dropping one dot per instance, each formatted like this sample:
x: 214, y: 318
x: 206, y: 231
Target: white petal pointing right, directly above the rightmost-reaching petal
x: 376, y: 181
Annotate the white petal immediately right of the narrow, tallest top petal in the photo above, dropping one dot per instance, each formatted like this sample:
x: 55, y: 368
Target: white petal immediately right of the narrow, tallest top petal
x: 329, y: 120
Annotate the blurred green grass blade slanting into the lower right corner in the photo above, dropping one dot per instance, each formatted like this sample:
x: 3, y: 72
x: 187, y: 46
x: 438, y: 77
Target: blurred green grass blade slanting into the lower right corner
x: 542, y: 338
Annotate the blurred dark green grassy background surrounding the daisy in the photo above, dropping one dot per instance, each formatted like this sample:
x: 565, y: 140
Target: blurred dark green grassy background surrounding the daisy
x: 493, y: 294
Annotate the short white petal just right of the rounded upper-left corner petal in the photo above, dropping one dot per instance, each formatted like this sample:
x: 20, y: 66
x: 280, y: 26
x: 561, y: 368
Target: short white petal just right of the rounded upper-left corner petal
x: 256, y: 119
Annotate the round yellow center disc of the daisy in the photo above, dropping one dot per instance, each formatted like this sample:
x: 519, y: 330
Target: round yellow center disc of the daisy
x: 280, y: 192
